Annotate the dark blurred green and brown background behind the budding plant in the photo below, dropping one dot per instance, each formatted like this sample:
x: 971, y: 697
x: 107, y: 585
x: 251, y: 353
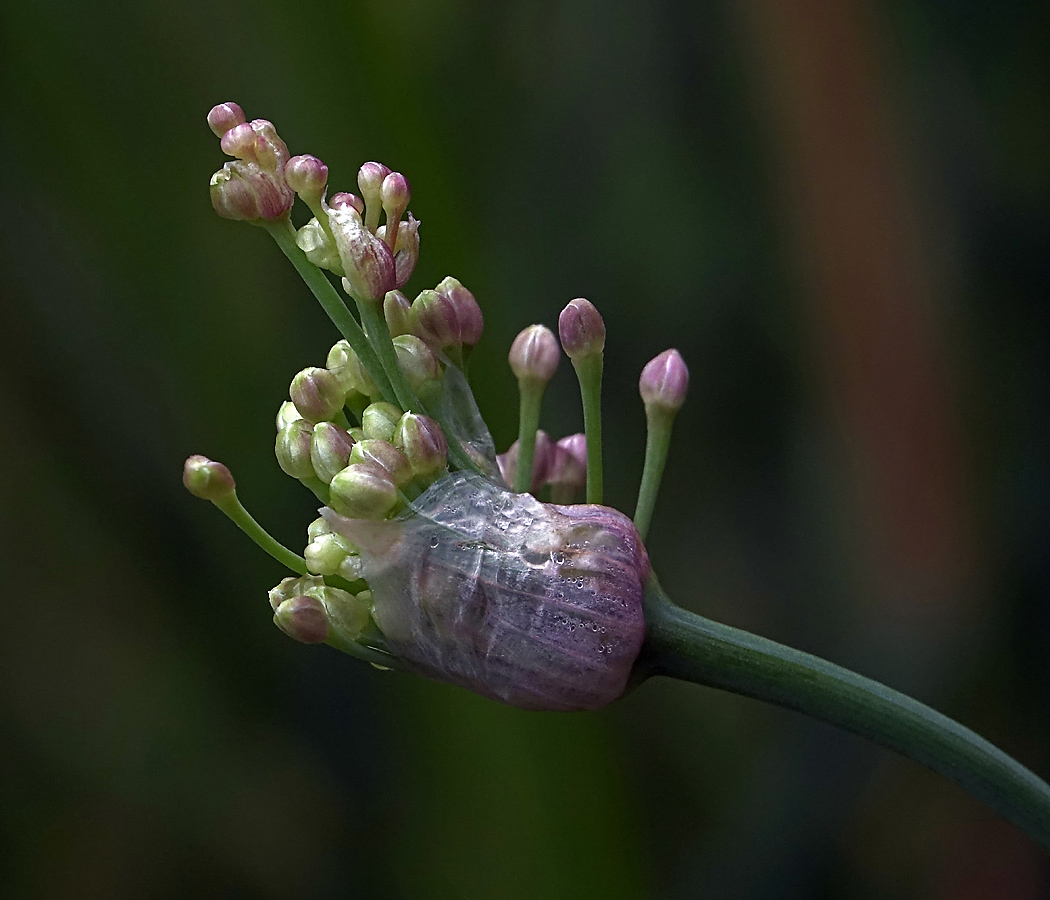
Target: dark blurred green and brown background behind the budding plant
x: 839, y: 213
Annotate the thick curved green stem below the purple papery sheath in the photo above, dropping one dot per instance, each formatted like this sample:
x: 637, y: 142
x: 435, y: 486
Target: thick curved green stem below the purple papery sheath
x: 683, y: 645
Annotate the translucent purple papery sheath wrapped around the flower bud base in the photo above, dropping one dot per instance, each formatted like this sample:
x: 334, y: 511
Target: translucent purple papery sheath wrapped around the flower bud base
x: 536, y: 605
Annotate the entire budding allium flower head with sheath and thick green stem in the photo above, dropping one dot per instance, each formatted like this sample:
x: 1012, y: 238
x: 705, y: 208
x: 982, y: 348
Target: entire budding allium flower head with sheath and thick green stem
x: 425, y: 559
